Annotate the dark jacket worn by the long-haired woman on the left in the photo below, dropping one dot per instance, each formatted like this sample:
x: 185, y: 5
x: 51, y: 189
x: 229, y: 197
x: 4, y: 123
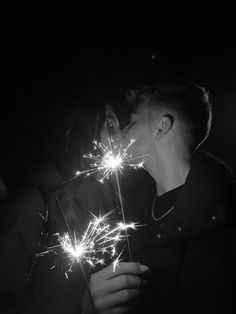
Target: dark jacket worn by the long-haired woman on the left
x: 29, y: 285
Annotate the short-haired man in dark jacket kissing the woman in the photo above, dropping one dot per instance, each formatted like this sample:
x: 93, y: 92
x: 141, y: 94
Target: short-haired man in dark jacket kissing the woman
x: 187, y: 212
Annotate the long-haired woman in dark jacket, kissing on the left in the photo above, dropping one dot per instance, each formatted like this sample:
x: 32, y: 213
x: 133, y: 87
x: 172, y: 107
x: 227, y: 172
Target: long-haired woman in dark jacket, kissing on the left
x: 31, y: 282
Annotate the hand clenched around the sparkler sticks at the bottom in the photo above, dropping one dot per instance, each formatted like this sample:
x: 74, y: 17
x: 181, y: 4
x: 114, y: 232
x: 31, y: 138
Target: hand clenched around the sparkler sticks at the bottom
x: 114, y: 290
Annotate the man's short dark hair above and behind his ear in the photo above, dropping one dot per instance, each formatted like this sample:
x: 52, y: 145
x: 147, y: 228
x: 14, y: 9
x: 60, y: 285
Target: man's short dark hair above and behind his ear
x: 184, y: 99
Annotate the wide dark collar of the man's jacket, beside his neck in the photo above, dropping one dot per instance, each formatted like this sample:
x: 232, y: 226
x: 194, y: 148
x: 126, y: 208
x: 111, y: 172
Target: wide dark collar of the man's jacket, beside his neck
x: 202, y: 202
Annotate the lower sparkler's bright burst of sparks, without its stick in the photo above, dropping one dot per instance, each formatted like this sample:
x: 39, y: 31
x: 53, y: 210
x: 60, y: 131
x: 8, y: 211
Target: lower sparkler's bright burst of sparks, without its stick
x: 99, y: 241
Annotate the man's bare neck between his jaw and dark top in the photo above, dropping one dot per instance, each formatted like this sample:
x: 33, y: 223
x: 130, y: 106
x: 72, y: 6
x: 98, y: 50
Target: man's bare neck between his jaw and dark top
x: 169, y: 172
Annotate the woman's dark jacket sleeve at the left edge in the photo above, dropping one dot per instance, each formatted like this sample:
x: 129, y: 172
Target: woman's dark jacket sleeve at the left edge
x: 20, y: 233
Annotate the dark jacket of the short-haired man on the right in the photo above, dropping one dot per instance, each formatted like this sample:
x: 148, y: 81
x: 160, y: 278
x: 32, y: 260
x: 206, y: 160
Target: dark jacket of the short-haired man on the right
x: 191, y: 253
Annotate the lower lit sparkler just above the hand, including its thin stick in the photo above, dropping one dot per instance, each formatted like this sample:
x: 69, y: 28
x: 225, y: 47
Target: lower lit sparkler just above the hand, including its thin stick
x: 98, y: 240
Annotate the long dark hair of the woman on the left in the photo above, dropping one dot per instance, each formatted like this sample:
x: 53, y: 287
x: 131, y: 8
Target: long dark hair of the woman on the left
x: 83, y: 125
